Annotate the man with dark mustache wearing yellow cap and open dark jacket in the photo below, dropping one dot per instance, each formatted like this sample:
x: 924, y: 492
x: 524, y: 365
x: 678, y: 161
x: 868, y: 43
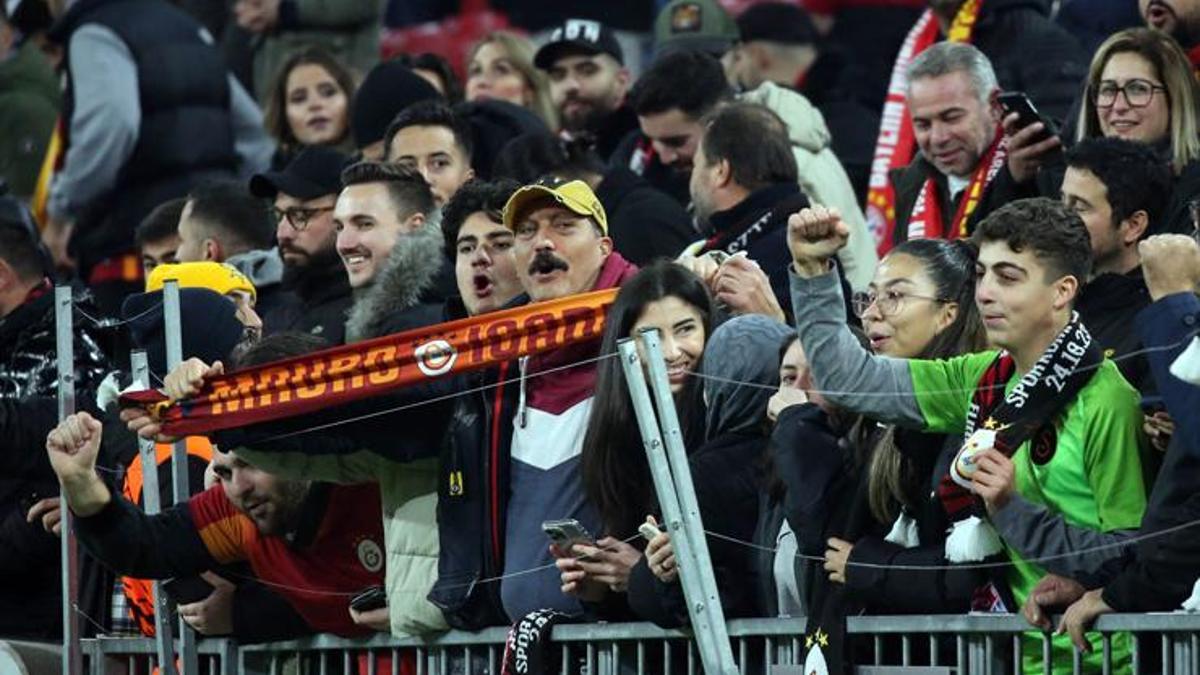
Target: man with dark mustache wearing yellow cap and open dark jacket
x: 517, y: 457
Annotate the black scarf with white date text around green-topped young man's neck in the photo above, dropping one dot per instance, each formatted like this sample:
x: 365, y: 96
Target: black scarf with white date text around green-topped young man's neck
x: 1009, y: 421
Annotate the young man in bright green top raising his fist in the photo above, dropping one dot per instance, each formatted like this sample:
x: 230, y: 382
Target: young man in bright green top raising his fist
x: 1048, y: 401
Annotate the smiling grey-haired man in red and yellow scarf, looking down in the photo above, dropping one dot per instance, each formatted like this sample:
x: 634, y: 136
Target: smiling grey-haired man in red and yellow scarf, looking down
x: 959, y: 176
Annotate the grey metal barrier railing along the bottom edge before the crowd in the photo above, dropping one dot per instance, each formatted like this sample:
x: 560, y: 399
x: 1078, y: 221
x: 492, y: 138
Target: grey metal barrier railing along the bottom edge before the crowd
x: 961, y: 644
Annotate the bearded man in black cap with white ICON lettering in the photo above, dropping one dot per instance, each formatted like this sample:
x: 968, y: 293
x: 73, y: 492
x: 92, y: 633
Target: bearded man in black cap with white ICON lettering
x: 589, y: 82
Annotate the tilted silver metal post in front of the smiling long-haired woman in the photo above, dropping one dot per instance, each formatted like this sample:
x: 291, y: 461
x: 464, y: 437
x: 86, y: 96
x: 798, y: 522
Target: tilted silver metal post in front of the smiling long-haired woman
x: 677, y: 499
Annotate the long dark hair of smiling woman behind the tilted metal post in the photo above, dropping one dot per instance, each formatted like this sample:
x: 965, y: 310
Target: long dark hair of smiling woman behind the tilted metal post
x: 615, y: 473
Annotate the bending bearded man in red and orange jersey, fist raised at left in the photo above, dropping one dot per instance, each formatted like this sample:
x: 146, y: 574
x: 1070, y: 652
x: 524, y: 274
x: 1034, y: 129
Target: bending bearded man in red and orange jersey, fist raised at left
x: 296, y: 535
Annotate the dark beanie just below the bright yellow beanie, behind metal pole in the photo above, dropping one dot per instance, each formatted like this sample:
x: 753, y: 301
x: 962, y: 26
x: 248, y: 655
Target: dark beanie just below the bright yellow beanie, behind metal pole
x: 209, y: 326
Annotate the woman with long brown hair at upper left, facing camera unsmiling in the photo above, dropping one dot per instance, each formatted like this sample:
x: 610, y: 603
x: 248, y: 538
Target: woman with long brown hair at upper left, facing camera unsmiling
x: 310, y: 104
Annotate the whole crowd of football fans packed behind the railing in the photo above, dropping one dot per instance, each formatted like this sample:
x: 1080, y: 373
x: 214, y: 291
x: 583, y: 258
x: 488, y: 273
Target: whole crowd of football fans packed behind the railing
x: 926, y: 298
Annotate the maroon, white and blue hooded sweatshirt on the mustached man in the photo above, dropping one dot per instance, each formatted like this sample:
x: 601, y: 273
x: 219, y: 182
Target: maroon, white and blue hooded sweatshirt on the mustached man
x: 548, y: 441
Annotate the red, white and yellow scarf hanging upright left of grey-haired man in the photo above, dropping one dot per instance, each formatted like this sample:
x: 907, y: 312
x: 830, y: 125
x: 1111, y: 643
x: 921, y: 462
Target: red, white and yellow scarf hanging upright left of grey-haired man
x: 897, y: 142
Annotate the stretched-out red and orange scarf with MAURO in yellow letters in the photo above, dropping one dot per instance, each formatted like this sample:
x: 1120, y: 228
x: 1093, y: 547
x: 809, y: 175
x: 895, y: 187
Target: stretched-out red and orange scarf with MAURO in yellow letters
x: 340, y: 375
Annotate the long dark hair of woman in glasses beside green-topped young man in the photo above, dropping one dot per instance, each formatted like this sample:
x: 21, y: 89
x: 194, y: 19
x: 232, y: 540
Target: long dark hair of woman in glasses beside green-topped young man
x: 893, y: 480
